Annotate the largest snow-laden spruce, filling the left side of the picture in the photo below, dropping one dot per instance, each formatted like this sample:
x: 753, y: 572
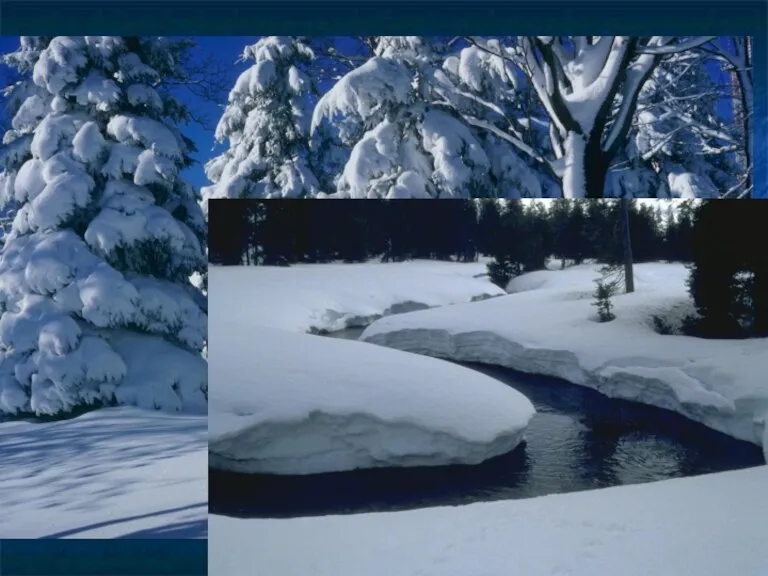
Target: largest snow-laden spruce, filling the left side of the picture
x: 95, y: 300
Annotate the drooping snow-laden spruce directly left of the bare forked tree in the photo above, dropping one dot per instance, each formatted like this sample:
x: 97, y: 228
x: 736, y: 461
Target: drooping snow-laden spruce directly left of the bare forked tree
x: 403, y: 145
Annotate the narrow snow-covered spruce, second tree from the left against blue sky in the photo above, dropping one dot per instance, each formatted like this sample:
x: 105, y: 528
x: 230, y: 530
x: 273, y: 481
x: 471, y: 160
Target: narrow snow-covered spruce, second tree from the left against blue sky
x: 266, y: 122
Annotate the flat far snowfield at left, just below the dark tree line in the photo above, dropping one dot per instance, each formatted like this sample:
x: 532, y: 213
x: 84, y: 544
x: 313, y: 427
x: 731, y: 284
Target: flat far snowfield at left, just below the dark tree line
x: 332, y: 297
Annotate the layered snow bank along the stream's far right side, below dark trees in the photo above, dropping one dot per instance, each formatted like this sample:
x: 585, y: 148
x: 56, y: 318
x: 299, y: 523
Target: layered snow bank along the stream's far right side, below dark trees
x: 547, y: 326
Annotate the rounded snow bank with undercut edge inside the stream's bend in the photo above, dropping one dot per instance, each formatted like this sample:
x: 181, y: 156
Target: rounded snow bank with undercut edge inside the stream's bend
x: 298, y: 404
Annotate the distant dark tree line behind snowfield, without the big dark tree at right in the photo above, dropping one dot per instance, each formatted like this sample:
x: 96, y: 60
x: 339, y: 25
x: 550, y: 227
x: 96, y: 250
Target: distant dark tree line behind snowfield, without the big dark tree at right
x: 521, y: 234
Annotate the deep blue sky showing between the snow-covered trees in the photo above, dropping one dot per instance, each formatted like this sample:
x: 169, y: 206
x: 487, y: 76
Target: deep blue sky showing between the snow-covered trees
x: 226, y: 50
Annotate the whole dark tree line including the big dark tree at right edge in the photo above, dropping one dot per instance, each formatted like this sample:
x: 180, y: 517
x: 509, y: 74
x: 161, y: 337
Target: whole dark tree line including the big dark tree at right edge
x: 724, y: 242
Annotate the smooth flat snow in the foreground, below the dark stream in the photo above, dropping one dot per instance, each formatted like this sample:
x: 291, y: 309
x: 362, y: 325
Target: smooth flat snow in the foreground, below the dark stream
x: 707, y: 525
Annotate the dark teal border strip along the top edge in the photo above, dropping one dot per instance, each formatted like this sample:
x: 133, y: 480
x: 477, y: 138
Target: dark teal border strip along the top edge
x: 341, y: 17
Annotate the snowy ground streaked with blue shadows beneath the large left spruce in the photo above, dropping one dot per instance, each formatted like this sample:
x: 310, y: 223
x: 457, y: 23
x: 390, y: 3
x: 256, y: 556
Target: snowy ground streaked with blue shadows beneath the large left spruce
x: 112, y: 473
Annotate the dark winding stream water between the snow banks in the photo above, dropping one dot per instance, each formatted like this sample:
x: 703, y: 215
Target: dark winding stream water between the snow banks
x: 578, y: 440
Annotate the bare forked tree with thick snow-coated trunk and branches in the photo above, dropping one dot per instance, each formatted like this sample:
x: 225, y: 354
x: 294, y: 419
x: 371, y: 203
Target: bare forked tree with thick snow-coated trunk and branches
x: 589, y: 88
